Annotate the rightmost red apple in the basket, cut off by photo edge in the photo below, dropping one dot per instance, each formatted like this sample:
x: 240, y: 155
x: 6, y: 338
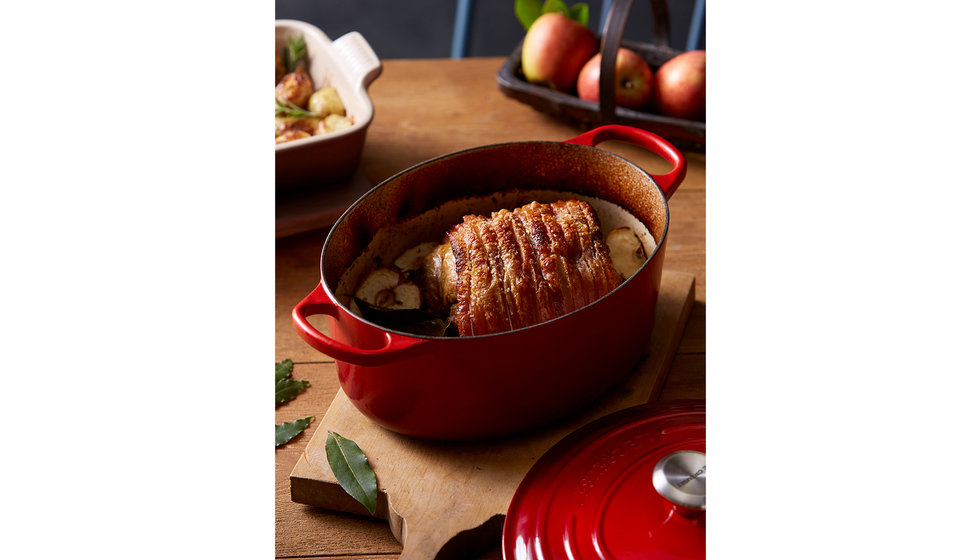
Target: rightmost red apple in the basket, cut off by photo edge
x: 679, y: 86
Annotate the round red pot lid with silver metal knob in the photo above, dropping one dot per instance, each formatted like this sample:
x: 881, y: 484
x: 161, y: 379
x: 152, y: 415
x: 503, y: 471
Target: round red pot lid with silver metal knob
x: 630, y: 485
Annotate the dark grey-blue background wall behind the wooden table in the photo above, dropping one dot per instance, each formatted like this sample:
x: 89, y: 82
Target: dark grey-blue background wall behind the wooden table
x: 424, y: 28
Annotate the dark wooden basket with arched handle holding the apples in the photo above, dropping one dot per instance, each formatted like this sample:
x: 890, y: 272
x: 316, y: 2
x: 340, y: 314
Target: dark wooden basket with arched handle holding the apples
x: 685, y: 134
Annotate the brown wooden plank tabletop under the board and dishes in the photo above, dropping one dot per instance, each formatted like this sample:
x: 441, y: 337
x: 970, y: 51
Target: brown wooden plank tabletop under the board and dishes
x: 425, y: 108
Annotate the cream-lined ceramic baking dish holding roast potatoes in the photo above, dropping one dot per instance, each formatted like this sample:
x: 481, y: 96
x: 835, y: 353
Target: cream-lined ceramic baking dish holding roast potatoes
x: 349, y: 65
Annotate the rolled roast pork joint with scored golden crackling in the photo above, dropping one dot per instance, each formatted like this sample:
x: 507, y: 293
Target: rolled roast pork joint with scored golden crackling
x: 519, y: 268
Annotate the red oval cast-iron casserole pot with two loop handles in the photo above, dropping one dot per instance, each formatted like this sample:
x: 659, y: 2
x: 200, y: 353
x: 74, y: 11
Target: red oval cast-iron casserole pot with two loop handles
x: 452, y: 388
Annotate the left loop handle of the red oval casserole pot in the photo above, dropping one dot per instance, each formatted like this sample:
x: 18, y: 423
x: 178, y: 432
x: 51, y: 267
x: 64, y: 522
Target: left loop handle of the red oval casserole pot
x: 317, y: 303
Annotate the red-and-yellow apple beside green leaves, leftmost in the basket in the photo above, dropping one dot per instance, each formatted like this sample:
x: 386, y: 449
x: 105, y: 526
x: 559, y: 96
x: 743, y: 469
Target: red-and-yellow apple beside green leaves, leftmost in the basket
x: 555, y: 49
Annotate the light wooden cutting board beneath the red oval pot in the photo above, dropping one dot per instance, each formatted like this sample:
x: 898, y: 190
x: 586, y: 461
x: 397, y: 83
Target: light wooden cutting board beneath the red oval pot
x: 449, y: 499
